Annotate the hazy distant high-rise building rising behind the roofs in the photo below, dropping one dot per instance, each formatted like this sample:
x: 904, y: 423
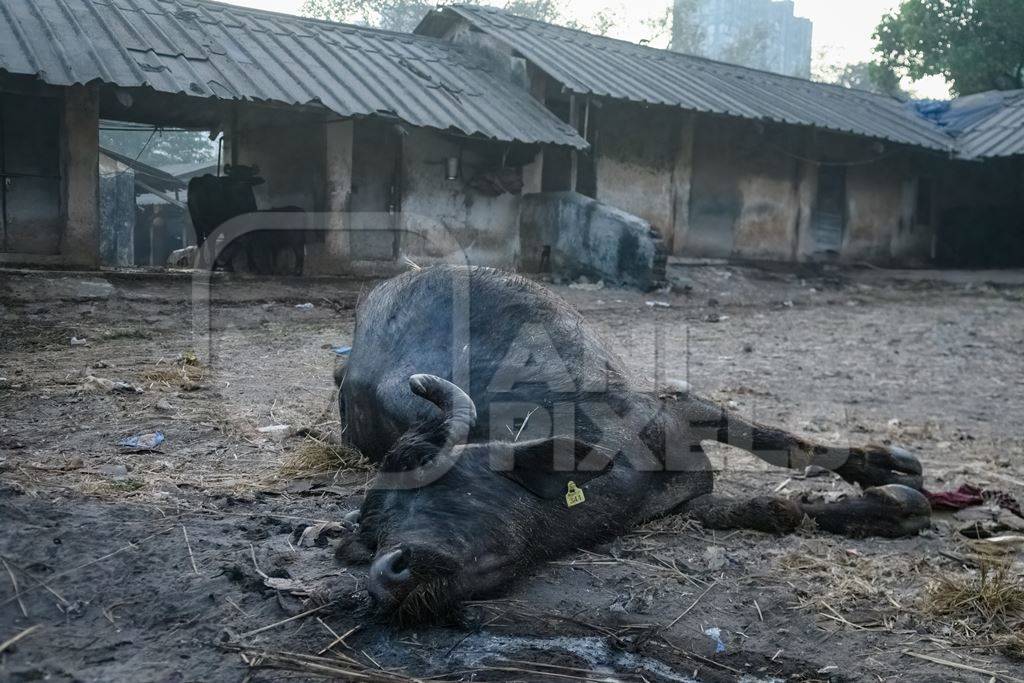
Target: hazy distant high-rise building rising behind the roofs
x: 762, y: 34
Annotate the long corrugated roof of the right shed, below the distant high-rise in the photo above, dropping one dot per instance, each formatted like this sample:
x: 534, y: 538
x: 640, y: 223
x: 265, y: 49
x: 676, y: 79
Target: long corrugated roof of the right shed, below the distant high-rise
x: 595, y: 65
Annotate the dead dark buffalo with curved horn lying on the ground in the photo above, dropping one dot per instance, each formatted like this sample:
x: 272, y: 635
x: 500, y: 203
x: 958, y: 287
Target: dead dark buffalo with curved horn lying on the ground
x: 507, y: 433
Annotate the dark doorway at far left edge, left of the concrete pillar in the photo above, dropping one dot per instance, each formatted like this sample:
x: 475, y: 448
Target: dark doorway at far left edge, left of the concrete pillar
x: 31, y: 216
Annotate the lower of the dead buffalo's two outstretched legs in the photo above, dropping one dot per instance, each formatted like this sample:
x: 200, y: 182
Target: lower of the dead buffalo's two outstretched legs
x: 891, y: 511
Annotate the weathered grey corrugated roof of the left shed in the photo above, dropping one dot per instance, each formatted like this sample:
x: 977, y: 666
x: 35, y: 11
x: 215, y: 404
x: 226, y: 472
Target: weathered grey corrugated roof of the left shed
x: 209, y: 50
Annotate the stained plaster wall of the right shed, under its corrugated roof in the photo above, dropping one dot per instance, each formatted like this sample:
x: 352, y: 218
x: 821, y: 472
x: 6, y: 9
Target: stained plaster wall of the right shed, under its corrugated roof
x: 716, y: 187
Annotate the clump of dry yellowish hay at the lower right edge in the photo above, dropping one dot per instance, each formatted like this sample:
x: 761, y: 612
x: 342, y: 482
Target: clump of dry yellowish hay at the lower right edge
x: 989, y: 601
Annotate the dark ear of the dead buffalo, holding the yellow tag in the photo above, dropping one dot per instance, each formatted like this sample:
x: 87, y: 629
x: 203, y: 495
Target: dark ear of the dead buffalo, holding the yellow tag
x: 545, y: 467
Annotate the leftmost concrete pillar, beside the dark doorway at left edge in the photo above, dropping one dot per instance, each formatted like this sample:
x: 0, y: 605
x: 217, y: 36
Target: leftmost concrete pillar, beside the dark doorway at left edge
x: 81, y: 168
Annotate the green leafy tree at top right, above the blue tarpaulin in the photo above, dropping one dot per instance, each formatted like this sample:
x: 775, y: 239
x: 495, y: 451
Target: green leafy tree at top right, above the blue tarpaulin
x: 976, y: 45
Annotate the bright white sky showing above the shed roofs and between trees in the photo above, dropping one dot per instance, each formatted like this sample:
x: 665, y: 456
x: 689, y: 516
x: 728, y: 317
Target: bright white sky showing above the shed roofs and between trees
x: 842, y: 29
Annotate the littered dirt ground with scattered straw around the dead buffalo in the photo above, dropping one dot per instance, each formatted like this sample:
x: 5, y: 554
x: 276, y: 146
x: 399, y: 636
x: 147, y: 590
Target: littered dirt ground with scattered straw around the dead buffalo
x: 188, y: 562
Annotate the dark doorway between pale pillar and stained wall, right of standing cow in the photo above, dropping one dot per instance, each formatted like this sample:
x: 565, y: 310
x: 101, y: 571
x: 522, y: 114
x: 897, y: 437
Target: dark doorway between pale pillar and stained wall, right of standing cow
x: 376, y: 199
